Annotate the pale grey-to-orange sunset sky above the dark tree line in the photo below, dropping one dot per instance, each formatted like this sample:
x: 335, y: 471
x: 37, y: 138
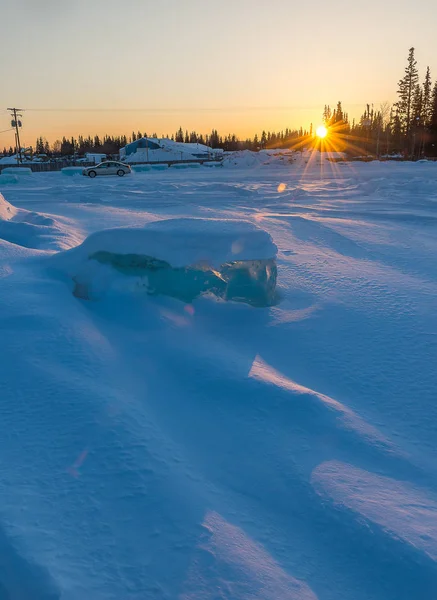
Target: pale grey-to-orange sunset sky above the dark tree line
x: 106, y: 66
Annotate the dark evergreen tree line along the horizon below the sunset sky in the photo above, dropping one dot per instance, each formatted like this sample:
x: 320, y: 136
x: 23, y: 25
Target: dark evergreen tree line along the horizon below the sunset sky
x: 408, y: 127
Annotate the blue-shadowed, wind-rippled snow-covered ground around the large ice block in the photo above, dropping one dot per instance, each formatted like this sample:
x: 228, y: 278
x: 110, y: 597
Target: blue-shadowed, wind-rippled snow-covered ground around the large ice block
x: 153, y: 449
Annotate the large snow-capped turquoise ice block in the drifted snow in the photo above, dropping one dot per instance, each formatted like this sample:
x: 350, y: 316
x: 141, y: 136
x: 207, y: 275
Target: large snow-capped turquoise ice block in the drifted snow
x: 182, y: 258
